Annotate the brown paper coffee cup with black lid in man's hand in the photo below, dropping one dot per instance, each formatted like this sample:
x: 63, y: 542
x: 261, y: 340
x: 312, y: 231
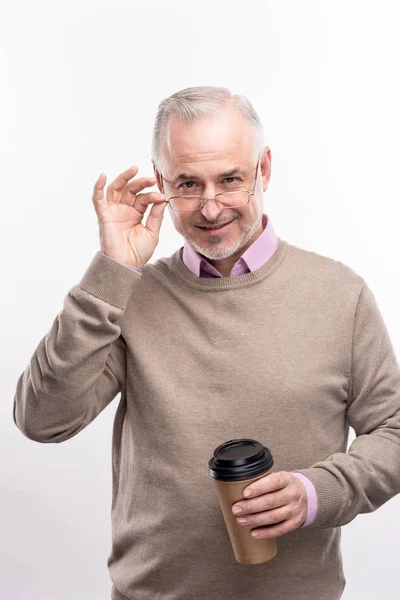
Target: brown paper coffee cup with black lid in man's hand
x: 235, y: 465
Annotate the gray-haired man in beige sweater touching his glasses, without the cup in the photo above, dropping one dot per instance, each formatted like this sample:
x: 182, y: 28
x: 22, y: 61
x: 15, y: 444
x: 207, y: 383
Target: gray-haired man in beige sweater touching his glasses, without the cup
x: 237, y: 334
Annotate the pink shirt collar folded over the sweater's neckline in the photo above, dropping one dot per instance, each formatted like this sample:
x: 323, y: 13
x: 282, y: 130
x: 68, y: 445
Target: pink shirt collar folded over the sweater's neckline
x: 255, y: 256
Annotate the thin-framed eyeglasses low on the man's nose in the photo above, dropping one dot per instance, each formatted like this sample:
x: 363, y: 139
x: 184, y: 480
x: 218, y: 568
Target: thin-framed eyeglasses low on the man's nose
x: 232, y: 199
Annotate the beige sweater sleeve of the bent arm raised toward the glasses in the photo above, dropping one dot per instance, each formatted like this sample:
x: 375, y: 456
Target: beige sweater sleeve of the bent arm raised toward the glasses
x: 79, y: 366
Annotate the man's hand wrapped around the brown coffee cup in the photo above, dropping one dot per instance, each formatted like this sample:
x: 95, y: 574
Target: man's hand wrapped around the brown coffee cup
x: 277, y: 506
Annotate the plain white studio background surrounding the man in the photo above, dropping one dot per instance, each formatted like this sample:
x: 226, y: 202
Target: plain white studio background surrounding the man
x: 80, y: 85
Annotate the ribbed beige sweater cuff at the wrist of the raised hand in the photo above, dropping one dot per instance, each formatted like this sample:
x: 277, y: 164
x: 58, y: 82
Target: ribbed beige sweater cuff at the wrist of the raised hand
x: 109, y: 280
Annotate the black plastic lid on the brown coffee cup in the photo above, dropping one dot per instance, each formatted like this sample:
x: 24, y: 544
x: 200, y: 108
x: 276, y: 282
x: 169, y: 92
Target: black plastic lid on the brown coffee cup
x: 240, y: 459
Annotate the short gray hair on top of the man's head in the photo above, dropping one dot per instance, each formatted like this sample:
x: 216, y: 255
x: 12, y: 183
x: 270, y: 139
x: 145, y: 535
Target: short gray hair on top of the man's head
x: 194, y: 102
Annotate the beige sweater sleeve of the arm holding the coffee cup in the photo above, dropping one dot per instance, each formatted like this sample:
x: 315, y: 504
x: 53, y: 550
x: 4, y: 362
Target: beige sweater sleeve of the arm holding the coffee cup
x: 368, y: 474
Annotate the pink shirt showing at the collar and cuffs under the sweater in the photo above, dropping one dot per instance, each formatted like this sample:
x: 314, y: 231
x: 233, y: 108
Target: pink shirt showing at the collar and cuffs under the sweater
x: 253, y: 258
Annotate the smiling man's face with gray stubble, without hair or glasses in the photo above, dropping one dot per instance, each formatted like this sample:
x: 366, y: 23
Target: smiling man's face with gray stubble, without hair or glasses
x: 205, y: 150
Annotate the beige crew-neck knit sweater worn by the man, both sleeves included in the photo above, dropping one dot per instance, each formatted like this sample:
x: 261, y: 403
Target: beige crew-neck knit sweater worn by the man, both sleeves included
x: 290, y: 354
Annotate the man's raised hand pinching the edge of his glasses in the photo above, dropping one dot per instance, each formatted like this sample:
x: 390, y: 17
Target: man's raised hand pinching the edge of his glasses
x: 123, y: 236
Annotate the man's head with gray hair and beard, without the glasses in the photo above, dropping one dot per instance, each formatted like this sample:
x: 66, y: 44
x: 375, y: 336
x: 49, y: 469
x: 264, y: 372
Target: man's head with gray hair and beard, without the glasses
x: 205, y: 133
